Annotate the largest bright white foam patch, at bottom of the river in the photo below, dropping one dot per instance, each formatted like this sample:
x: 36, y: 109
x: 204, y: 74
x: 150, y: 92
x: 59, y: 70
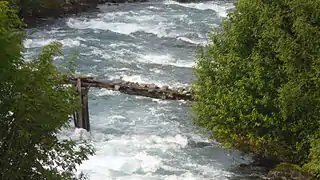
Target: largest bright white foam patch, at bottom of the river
x: 127, y: 154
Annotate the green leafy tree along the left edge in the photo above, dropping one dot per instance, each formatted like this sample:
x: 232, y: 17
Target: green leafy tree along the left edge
x: 34, y: 106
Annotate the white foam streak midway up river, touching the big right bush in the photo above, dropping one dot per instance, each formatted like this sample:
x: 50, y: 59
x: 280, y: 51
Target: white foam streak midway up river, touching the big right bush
x: 164, y: 59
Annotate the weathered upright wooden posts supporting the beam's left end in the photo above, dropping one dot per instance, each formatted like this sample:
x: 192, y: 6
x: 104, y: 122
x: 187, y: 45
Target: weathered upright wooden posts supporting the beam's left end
x: 81, y: 117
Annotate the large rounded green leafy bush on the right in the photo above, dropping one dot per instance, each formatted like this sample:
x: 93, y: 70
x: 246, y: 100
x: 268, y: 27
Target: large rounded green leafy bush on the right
x: 257, y: 86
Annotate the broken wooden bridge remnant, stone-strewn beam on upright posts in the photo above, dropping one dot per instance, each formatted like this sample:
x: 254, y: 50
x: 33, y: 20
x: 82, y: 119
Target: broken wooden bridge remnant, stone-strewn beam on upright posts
x: 81, y: 117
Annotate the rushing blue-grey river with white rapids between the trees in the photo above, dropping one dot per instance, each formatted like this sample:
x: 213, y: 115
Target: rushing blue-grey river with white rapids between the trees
x: 155, y: 42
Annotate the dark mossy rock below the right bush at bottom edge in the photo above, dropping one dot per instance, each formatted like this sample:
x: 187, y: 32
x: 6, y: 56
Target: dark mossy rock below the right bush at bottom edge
x: 285, y: 171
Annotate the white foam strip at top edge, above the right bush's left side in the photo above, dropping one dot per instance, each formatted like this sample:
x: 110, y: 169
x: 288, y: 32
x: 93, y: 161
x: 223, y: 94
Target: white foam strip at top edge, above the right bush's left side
x: 211, y: 5
